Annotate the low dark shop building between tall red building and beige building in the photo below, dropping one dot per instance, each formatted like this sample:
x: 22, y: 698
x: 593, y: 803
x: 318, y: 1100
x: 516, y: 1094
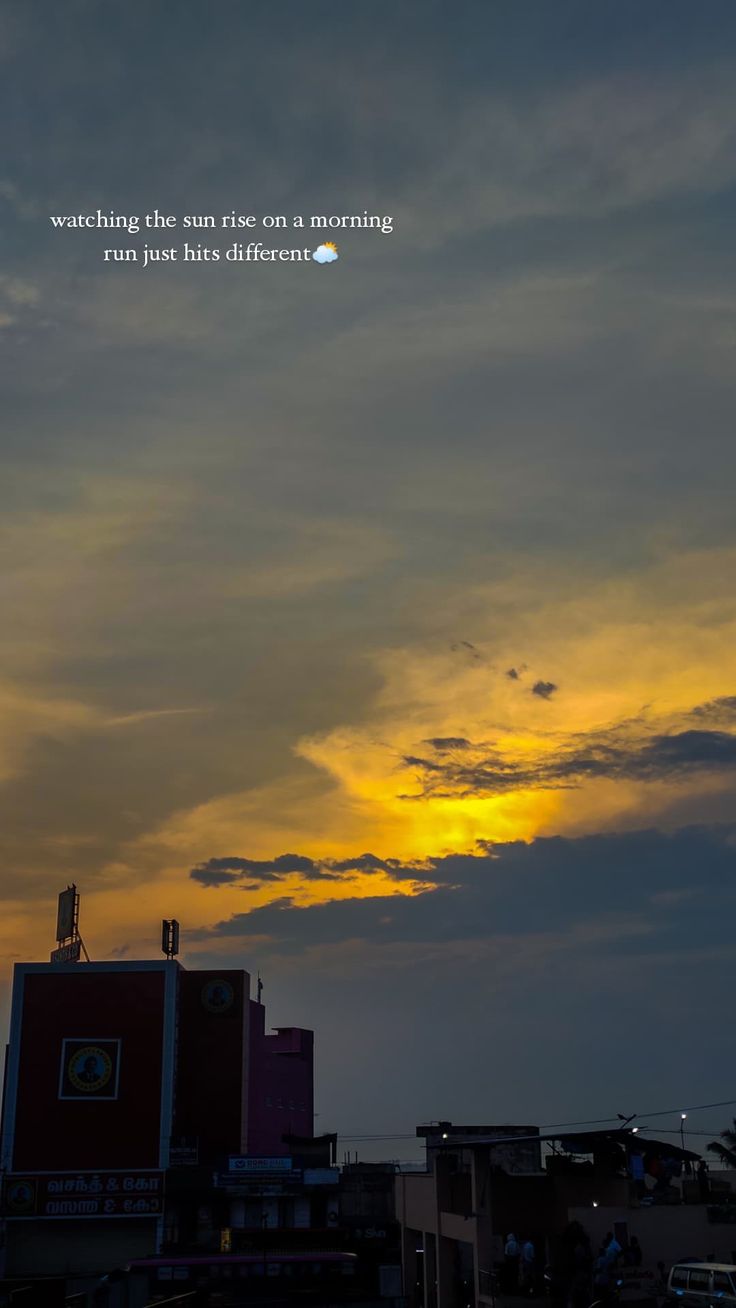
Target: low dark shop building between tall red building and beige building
x: 286, y: 1229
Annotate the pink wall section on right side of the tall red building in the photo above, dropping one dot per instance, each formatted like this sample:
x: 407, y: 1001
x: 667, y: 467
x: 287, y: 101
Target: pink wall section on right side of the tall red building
x: 280, y: 1085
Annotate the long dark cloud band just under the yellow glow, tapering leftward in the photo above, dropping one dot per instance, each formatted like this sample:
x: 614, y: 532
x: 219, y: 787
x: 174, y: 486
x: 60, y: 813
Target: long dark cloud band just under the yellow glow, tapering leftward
x: 620, y: 889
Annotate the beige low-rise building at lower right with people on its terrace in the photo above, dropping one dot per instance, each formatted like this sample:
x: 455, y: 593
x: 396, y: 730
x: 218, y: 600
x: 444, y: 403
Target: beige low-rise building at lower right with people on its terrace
x: 483, y: 1183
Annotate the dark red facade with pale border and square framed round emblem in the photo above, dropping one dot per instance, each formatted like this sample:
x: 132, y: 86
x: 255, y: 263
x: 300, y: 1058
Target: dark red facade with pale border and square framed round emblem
x: 91, y: 1071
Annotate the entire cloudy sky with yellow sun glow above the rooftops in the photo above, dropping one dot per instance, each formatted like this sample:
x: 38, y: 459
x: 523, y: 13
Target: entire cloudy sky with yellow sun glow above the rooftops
x: 377, y: 619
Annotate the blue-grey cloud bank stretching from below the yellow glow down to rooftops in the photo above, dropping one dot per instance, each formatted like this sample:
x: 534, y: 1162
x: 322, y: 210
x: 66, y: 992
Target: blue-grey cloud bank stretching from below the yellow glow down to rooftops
x: 555, y: 954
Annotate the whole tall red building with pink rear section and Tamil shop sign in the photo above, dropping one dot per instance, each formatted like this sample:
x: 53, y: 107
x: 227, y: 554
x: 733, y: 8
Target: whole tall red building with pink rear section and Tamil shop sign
x: 120, y: 1078
